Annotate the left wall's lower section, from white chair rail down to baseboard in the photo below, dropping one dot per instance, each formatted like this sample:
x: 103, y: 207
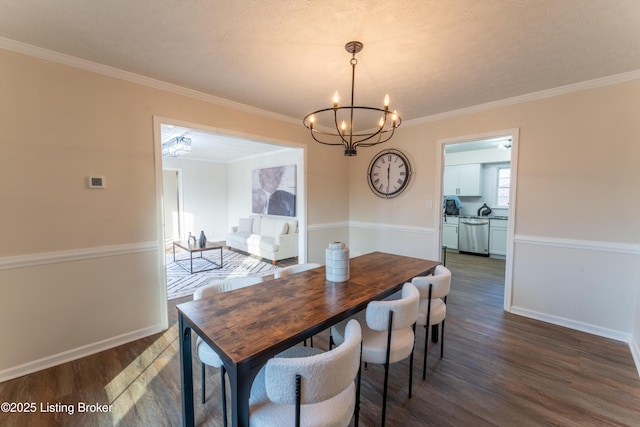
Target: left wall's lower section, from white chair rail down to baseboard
x: 70, y: 304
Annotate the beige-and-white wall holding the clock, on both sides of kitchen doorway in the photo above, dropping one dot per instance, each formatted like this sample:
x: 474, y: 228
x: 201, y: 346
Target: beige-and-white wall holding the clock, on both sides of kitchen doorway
x: 577, y: 229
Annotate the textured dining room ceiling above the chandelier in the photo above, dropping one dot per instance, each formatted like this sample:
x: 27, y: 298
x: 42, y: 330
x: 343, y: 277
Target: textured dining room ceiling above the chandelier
x: 288, y: 57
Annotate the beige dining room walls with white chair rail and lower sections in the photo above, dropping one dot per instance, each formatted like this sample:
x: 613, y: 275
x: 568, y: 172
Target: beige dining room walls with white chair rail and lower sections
x: 66, y: 250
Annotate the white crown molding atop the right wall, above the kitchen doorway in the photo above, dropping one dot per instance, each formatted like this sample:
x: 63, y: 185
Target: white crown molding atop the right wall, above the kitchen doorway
x: 576, y: 87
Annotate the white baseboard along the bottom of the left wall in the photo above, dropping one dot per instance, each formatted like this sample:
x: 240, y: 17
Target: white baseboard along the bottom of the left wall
x: 77, y: 353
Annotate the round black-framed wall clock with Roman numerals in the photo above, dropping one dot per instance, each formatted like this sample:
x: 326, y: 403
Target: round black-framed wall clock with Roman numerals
x: 389, y: 173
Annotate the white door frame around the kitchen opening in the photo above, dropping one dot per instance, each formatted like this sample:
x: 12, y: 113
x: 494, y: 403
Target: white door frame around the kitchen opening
x: 514, y: 134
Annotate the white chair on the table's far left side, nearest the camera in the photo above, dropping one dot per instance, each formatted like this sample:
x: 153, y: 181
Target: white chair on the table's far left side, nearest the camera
x: 206, y: 354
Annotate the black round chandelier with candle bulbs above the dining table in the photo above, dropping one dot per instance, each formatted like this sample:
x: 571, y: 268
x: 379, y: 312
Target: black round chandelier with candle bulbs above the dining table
x: 335, y: 125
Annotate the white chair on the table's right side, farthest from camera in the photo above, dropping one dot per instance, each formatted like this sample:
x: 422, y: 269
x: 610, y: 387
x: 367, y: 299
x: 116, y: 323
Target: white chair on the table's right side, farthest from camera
x: 432, y: 310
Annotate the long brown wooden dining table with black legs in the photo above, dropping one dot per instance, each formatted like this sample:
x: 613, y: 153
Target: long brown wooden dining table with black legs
x: 248, y: 326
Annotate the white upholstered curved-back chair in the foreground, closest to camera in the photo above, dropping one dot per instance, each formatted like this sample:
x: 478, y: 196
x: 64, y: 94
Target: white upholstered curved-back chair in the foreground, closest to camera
x: 305, y: 386
